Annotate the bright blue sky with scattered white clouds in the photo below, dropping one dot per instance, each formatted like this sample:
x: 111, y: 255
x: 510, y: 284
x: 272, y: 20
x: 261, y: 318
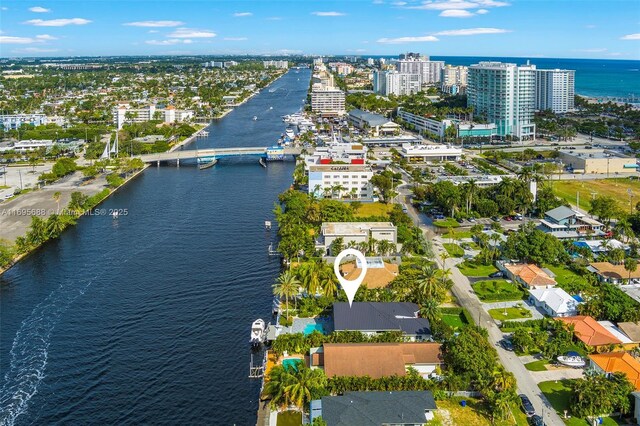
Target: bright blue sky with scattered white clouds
x: 608, y: 29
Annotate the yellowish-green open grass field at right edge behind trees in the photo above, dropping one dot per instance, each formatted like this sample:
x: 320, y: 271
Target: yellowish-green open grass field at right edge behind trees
x: 616, y: 188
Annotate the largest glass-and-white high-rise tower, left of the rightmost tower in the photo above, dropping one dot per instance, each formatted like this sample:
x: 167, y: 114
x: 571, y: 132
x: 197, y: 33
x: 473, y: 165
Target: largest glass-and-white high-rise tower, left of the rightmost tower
x: 504, y: 94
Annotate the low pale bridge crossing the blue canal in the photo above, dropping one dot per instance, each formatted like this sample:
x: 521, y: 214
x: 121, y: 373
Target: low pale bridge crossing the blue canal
x: 204, y: 155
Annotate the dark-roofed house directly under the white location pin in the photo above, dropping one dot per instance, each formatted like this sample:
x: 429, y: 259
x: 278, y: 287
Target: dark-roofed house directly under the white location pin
x: 372, y: 318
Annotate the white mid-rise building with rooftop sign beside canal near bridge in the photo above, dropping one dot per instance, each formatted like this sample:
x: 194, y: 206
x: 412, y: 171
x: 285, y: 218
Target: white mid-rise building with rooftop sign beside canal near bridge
x: 341, y: 180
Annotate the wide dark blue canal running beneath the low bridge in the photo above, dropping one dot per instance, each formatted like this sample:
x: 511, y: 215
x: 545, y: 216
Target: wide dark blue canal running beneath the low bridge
x: 145, y: 319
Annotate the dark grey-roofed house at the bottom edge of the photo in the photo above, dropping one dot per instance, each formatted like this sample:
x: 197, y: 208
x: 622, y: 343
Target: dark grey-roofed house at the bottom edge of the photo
x: 400, y: 408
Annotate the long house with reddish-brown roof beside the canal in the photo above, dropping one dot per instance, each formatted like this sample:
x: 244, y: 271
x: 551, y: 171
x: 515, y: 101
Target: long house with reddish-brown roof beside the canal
x: 376, y: 359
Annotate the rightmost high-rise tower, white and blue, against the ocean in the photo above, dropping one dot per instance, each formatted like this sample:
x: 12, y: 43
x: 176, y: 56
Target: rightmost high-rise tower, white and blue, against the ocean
x: 555, y: 90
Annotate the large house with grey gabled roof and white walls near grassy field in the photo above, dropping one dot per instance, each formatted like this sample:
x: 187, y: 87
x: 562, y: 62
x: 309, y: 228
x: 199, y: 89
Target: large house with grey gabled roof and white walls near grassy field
x: 565, y: 223
